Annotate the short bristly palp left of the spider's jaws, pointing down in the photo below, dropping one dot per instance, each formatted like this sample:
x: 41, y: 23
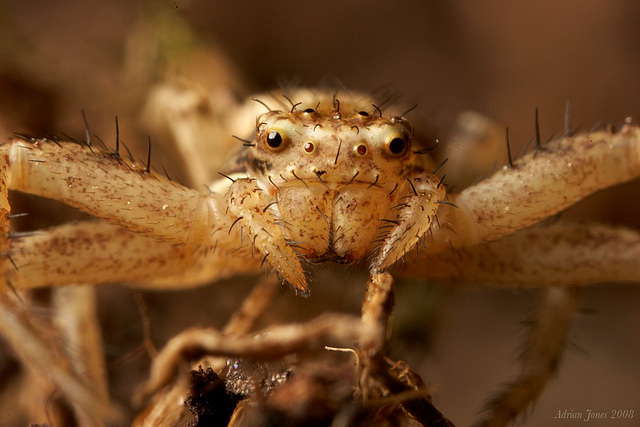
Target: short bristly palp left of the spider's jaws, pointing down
x: 254, y: 209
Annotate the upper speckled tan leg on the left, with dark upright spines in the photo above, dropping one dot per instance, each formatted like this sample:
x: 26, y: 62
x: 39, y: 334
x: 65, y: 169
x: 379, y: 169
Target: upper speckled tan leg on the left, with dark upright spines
x: 119, y: 191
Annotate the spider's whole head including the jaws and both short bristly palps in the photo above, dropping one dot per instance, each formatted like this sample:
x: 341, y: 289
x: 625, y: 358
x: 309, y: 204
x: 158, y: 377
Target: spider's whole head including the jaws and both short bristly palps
x: 339, y: 182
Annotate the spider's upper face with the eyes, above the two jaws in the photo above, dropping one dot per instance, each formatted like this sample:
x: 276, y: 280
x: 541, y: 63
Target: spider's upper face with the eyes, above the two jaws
x: 333, y: 148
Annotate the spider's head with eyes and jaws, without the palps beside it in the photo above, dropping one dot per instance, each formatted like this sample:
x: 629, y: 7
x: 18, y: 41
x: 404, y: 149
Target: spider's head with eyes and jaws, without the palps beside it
x: 334, y: 171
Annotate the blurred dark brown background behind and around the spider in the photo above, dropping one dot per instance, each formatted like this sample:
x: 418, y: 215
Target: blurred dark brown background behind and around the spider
x: 503, y: 59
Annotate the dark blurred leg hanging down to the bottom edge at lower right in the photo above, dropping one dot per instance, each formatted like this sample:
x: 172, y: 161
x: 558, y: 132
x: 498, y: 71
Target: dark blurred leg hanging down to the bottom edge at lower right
x: 540, y: 356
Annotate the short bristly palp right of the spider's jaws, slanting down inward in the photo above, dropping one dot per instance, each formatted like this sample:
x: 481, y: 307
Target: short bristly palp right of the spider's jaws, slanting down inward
x: 416, y: 212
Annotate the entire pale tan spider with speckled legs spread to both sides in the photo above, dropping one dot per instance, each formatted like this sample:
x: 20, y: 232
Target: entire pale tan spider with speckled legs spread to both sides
x: 330, y: 177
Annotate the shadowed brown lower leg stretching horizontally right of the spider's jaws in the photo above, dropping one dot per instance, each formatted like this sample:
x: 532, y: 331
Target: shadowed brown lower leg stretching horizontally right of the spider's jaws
x: 562, y: 254
